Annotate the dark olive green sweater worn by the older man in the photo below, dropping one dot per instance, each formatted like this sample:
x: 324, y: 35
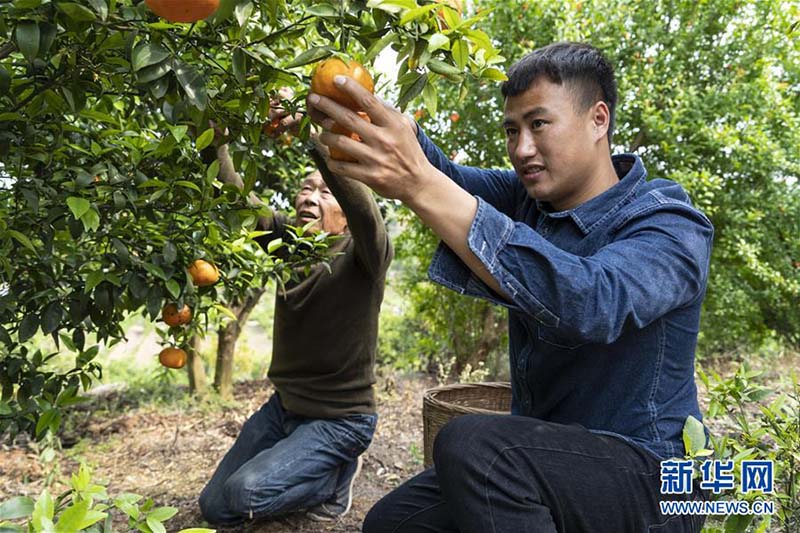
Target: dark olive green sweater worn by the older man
x: 326, y: 325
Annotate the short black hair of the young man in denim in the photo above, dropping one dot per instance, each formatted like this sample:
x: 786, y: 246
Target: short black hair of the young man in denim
x: 578, y: 64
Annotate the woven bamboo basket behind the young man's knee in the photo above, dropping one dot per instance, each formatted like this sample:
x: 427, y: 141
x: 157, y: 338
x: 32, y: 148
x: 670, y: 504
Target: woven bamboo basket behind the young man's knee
x: 442, y: 404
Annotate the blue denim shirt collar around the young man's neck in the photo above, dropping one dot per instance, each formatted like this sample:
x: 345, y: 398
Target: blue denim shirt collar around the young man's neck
x: 590, y: 214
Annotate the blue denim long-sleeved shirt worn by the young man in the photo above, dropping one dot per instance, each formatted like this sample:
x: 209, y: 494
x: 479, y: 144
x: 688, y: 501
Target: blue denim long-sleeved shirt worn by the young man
x: 605, y: 298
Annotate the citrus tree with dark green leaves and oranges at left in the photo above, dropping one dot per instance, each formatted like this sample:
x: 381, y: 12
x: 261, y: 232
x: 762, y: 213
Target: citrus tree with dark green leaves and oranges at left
x: 107, y: 187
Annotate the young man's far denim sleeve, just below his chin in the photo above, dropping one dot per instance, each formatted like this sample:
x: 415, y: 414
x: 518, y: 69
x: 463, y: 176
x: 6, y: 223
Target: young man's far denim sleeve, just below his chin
x: 500, y: 188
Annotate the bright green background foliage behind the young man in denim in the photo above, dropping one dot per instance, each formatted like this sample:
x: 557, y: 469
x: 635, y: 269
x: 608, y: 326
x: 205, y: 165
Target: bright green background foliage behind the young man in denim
x: 709, y: 96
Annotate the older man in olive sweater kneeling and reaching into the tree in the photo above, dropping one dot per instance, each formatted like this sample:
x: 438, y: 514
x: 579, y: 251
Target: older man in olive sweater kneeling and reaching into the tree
x: 301, y: 450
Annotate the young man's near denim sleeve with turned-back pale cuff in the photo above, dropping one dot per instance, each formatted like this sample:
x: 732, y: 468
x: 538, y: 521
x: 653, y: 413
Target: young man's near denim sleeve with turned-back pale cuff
x: 657, y: 262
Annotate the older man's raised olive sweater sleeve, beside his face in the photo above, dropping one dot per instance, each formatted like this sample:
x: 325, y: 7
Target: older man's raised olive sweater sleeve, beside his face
x: 372, y: 245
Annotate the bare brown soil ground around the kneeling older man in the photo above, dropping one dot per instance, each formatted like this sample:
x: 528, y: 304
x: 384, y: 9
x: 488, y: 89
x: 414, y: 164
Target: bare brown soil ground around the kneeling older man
x: 168, y: 454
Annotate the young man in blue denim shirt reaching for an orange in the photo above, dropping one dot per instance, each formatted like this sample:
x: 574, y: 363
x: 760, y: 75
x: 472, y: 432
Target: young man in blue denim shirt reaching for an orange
x: 603, y: 274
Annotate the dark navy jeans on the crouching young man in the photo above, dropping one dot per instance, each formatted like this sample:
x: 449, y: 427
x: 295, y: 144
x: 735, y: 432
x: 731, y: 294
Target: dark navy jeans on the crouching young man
x: 513, y: 474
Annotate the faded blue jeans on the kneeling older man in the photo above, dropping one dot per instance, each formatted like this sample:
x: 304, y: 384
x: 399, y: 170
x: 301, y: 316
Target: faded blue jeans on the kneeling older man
x: 282, y: 462
